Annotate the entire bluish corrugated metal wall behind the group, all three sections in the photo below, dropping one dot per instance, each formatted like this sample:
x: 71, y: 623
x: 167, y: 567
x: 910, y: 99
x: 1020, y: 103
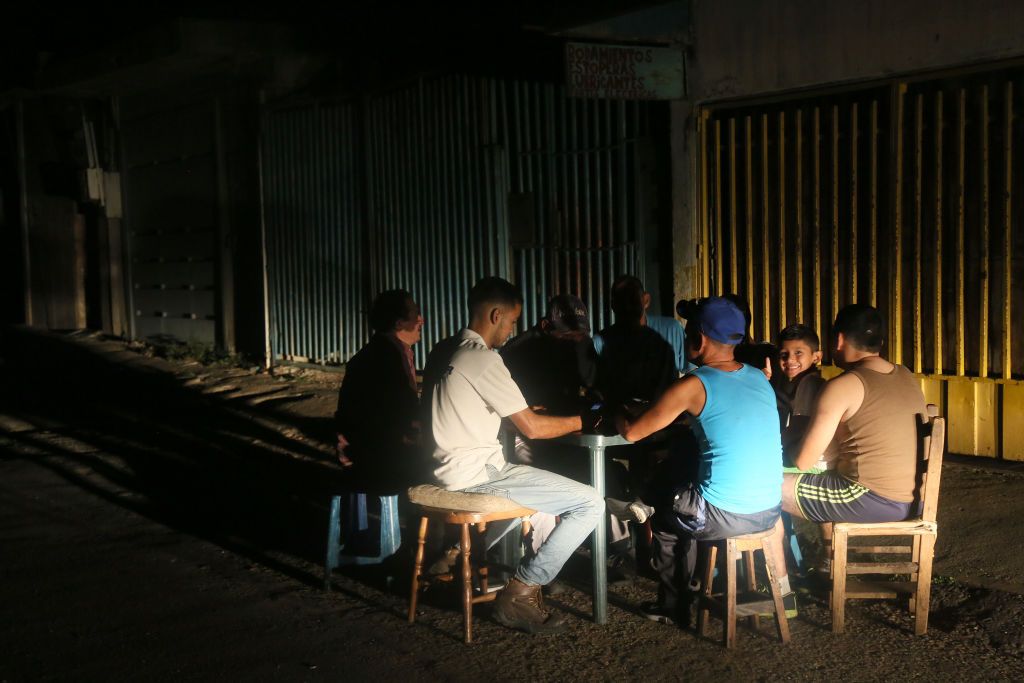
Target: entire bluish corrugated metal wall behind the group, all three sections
x: 464, y: 178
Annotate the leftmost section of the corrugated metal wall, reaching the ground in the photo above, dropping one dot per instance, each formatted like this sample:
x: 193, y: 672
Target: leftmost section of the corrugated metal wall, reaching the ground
x: 314, y: 206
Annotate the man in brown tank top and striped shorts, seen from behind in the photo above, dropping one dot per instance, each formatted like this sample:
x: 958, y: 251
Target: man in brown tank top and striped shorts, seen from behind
x: 870, y: 414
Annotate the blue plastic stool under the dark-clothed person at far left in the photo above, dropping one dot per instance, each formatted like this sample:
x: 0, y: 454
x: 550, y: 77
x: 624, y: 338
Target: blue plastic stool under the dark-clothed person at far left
x: 356, y: 523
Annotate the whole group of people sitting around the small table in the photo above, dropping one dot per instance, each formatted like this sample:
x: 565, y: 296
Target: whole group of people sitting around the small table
x: 726, y: 439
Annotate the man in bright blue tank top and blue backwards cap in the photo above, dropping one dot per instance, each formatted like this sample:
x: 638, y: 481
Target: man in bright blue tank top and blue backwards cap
x: 732, y: 409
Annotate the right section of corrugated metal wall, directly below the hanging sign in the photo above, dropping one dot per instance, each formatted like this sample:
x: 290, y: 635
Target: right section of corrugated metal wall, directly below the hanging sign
x: 574, y: 168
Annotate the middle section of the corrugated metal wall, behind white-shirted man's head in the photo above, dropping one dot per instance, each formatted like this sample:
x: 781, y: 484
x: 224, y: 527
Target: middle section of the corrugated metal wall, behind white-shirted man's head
x: 439, y: 192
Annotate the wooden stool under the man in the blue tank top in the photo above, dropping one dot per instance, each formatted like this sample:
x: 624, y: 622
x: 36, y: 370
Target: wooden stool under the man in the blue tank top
x: 753, y: 605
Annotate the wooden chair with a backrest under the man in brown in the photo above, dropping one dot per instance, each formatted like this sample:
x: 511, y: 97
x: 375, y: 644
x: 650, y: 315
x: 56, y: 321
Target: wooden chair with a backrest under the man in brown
x: 922, y: 532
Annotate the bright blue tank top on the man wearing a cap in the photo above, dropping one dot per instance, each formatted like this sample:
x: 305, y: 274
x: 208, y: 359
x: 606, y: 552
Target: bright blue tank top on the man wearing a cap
x: 741, y: 447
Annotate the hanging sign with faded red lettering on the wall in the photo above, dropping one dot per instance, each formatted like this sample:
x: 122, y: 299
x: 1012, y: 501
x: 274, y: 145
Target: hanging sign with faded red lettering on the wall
x: 624, y: 72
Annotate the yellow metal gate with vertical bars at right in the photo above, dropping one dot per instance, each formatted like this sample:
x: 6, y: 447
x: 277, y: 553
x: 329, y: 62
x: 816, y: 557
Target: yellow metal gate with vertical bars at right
x: 900, y: 195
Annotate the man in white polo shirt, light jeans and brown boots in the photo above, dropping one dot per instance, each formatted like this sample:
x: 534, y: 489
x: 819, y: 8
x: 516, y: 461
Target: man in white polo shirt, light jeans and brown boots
x: 470, y: 396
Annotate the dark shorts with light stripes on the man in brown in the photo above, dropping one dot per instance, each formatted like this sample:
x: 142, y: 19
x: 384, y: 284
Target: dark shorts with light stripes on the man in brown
x: 831, y: 497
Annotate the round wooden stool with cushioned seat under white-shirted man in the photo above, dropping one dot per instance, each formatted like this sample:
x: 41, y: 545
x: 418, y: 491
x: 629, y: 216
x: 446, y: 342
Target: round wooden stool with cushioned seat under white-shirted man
x: 467, y: 510
